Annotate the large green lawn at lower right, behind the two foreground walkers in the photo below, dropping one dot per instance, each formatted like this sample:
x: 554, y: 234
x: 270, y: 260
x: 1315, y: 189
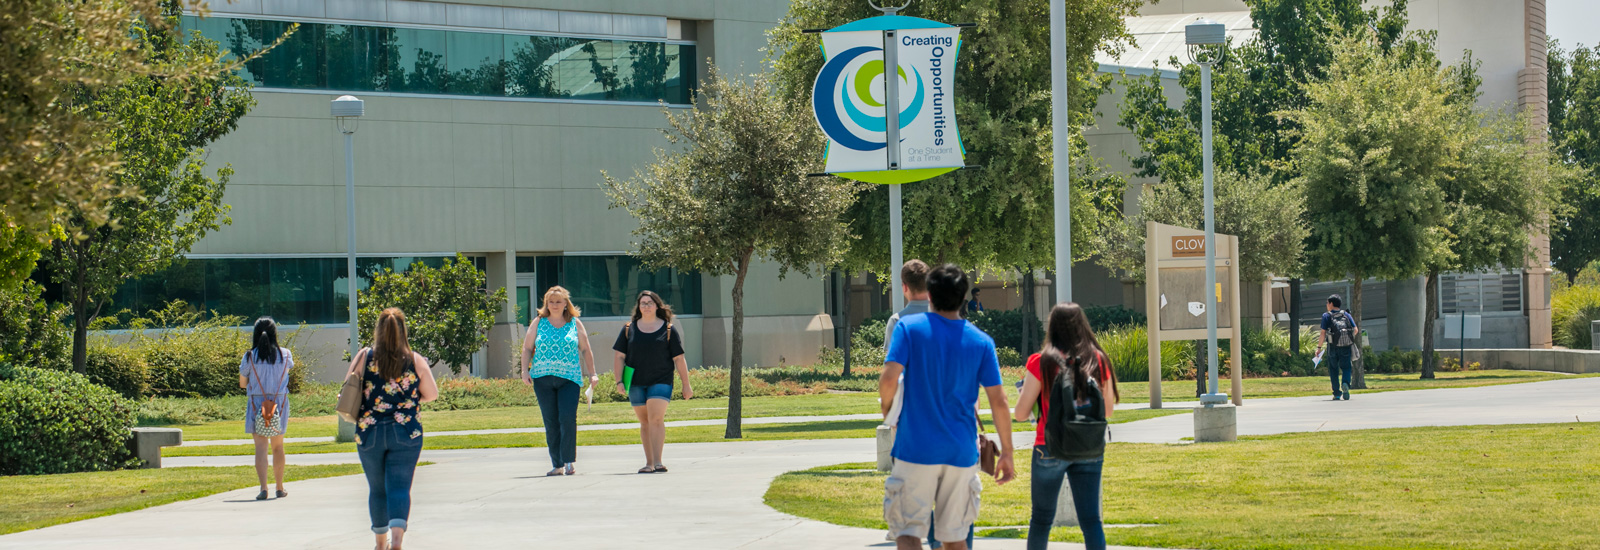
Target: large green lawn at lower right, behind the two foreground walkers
x: 1506, y: 487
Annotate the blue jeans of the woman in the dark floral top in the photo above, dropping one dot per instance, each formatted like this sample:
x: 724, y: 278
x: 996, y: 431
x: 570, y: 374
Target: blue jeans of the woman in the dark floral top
x: 390, y: 461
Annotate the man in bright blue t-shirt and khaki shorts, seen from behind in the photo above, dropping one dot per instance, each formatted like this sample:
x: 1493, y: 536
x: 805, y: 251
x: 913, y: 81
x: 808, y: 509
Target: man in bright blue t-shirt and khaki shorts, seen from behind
x: 945, y: 362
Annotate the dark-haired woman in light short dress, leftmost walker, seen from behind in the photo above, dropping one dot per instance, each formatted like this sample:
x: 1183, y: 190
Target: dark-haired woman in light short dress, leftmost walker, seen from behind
x: 265, y: 375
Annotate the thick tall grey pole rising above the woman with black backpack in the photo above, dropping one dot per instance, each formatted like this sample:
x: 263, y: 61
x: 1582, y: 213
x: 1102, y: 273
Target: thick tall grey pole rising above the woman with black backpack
x: 1062, y: 148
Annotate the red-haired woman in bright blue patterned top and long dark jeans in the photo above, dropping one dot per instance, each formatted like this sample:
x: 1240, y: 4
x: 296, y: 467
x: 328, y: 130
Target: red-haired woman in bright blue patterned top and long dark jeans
x: 562, y: 361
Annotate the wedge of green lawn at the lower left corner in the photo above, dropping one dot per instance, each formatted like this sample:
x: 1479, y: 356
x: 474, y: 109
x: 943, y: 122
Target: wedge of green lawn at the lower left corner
x: 39, y: 501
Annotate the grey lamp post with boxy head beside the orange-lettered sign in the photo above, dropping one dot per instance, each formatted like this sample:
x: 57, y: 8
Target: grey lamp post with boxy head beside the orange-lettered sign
x: 1207, y: 46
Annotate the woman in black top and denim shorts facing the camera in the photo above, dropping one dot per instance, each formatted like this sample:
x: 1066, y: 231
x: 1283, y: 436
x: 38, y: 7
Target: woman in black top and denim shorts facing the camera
x: 654, y: 351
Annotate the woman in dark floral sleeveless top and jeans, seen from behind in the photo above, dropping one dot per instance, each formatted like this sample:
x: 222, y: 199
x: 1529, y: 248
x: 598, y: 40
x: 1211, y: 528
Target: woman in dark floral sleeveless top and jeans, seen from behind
x: 388, y: 436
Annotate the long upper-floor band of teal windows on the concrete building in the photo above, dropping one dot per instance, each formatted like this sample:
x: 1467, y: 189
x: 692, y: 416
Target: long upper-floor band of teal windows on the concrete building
x: 425, y: 62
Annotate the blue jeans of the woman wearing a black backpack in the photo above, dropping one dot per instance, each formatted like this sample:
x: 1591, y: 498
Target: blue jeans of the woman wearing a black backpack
x: 1084, y: 479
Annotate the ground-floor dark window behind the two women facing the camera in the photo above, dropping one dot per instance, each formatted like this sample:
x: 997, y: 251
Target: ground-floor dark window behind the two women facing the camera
x: 607, y: 285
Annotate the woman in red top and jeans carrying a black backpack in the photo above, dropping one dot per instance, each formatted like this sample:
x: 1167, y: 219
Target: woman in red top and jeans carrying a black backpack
x: 1070, y: 345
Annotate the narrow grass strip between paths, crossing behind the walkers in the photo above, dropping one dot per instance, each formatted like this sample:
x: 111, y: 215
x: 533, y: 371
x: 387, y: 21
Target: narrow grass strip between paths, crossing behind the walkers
x: 695, y: 434
